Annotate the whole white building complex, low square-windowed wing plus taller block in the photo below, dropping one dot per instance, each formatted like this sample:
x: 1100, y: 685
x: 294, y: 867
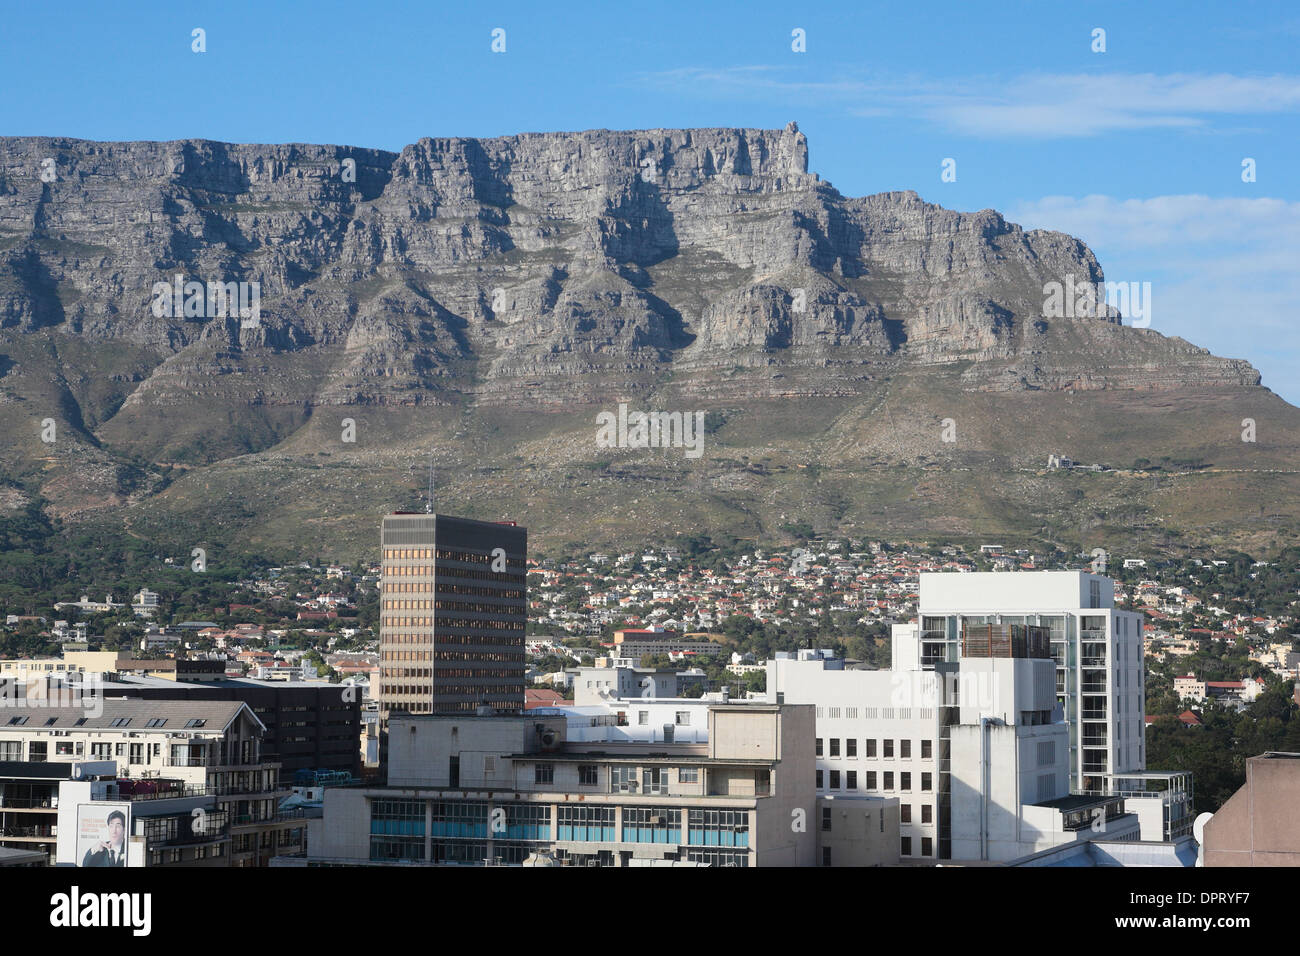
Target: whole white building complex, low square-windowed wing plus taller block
x: 968, y: 729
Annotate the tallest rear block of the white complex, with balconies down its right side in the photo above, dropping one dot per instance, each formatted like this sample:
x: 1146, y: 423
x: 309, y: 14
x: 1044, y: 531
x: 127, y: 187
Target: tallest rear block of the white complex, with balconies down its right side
x: 1098, y: 652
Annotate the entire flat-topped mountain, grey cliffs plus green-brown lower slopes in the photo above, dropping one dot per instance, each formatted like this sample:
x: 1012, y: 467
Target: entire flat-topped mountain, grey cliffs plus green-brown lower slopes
x: 483, y: 300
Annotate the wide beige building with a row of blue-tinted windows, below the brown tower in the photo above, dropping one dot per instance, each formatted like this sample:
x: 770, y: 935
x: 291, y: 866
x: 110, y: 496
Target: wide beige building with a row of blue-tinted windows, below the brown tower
x: 502, y: 789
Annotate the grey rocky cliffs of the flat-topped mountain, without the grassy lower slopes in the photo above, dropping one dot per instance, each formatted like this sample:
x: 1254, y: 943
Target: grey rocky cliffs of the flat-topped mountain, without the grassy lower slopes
x: 586, y: 259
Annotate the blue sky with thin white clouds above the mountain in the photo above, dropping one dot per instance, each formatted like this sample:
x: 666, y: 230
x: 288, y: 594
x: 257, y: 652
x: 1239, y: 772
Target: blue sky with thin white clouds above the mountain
x: 1137, y: 150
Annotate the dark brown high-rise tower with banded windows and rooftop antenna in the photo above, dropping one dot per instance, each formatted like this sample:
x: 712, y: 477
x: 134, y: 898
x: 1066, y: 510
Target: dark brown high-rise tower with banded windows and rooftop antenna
x: 453, y: 615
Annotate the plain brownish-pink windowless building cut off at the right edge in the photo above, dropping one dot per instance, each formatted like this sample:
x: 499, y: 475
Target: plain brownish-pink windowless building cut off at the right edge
x: 1258, y: 825
